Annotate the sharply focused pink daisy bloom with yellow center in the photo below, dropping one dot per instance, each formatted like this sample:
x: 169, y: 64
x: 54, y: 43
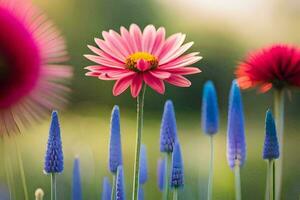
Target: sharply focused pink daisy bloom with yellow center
x: 134, y: 57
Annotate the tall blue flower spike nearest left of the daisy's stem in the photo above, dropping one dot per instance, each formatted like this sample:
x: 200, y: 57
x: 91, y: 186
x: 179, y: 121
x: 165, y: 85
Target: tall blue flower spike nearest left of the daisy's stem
x: 115, y: 148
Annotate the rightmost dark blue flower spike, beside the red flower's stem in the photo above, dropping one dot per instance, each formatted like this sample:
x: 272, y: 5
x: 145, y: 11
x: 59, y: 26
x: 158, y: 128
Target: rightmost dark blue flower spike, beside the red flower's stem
x: 271, y: 146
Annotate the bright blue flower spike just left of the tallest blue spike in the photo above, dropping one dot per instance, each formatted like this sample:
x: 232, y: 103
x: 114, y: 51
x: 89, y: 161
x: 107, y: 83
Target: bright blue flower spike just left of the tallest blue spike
x: 210, y: 112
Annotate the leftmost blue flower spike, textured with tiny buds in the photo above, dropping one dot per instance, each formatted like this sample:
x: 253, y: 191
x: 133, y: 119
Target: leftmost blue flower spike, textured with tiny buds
x: 54, y: 161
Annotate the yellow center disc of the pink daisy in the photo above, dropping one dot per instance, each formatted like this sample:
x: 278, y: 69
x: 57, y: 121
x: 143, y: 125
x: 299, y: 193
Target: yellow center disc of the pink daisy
x: 132, y: 59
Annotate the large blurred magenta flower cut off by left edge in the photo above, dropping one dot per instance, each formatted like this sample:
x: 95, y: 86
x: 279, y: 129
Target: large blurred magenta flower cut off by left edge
x: 31, y: 76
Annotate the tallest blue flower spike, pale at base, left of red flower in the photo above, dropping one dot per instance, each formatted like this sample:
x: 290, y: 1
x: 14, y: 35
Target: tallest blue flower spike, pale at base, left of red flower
x: 236, y: 144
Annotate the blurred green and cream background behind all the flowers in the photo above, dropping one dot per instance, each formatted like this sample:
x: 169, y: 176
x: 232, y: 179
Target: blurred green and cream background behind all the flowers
x: 223, y: 32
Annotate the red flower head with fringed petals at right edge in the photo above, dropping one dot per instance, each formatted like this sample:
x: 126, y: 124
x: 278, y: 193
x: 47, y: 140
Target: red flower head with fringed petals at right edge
x: 276, y: 66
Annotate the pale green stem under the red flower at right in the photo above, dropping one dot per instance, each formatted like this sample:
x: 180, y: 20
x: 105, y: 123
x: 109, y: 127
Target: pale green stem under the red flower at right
x: 279, y: 118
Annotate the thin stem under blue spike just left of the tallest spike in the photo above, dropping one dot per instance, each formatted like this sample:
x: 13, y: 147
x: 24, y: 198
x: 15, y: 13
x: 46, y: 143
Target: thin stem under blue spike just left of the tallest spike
x: 211, y: 169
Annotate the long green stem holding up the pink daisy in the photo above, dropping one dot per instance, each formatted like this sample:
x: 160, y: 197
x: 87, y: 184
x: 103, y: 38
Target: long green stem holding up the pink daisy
x: 140, y: 113
